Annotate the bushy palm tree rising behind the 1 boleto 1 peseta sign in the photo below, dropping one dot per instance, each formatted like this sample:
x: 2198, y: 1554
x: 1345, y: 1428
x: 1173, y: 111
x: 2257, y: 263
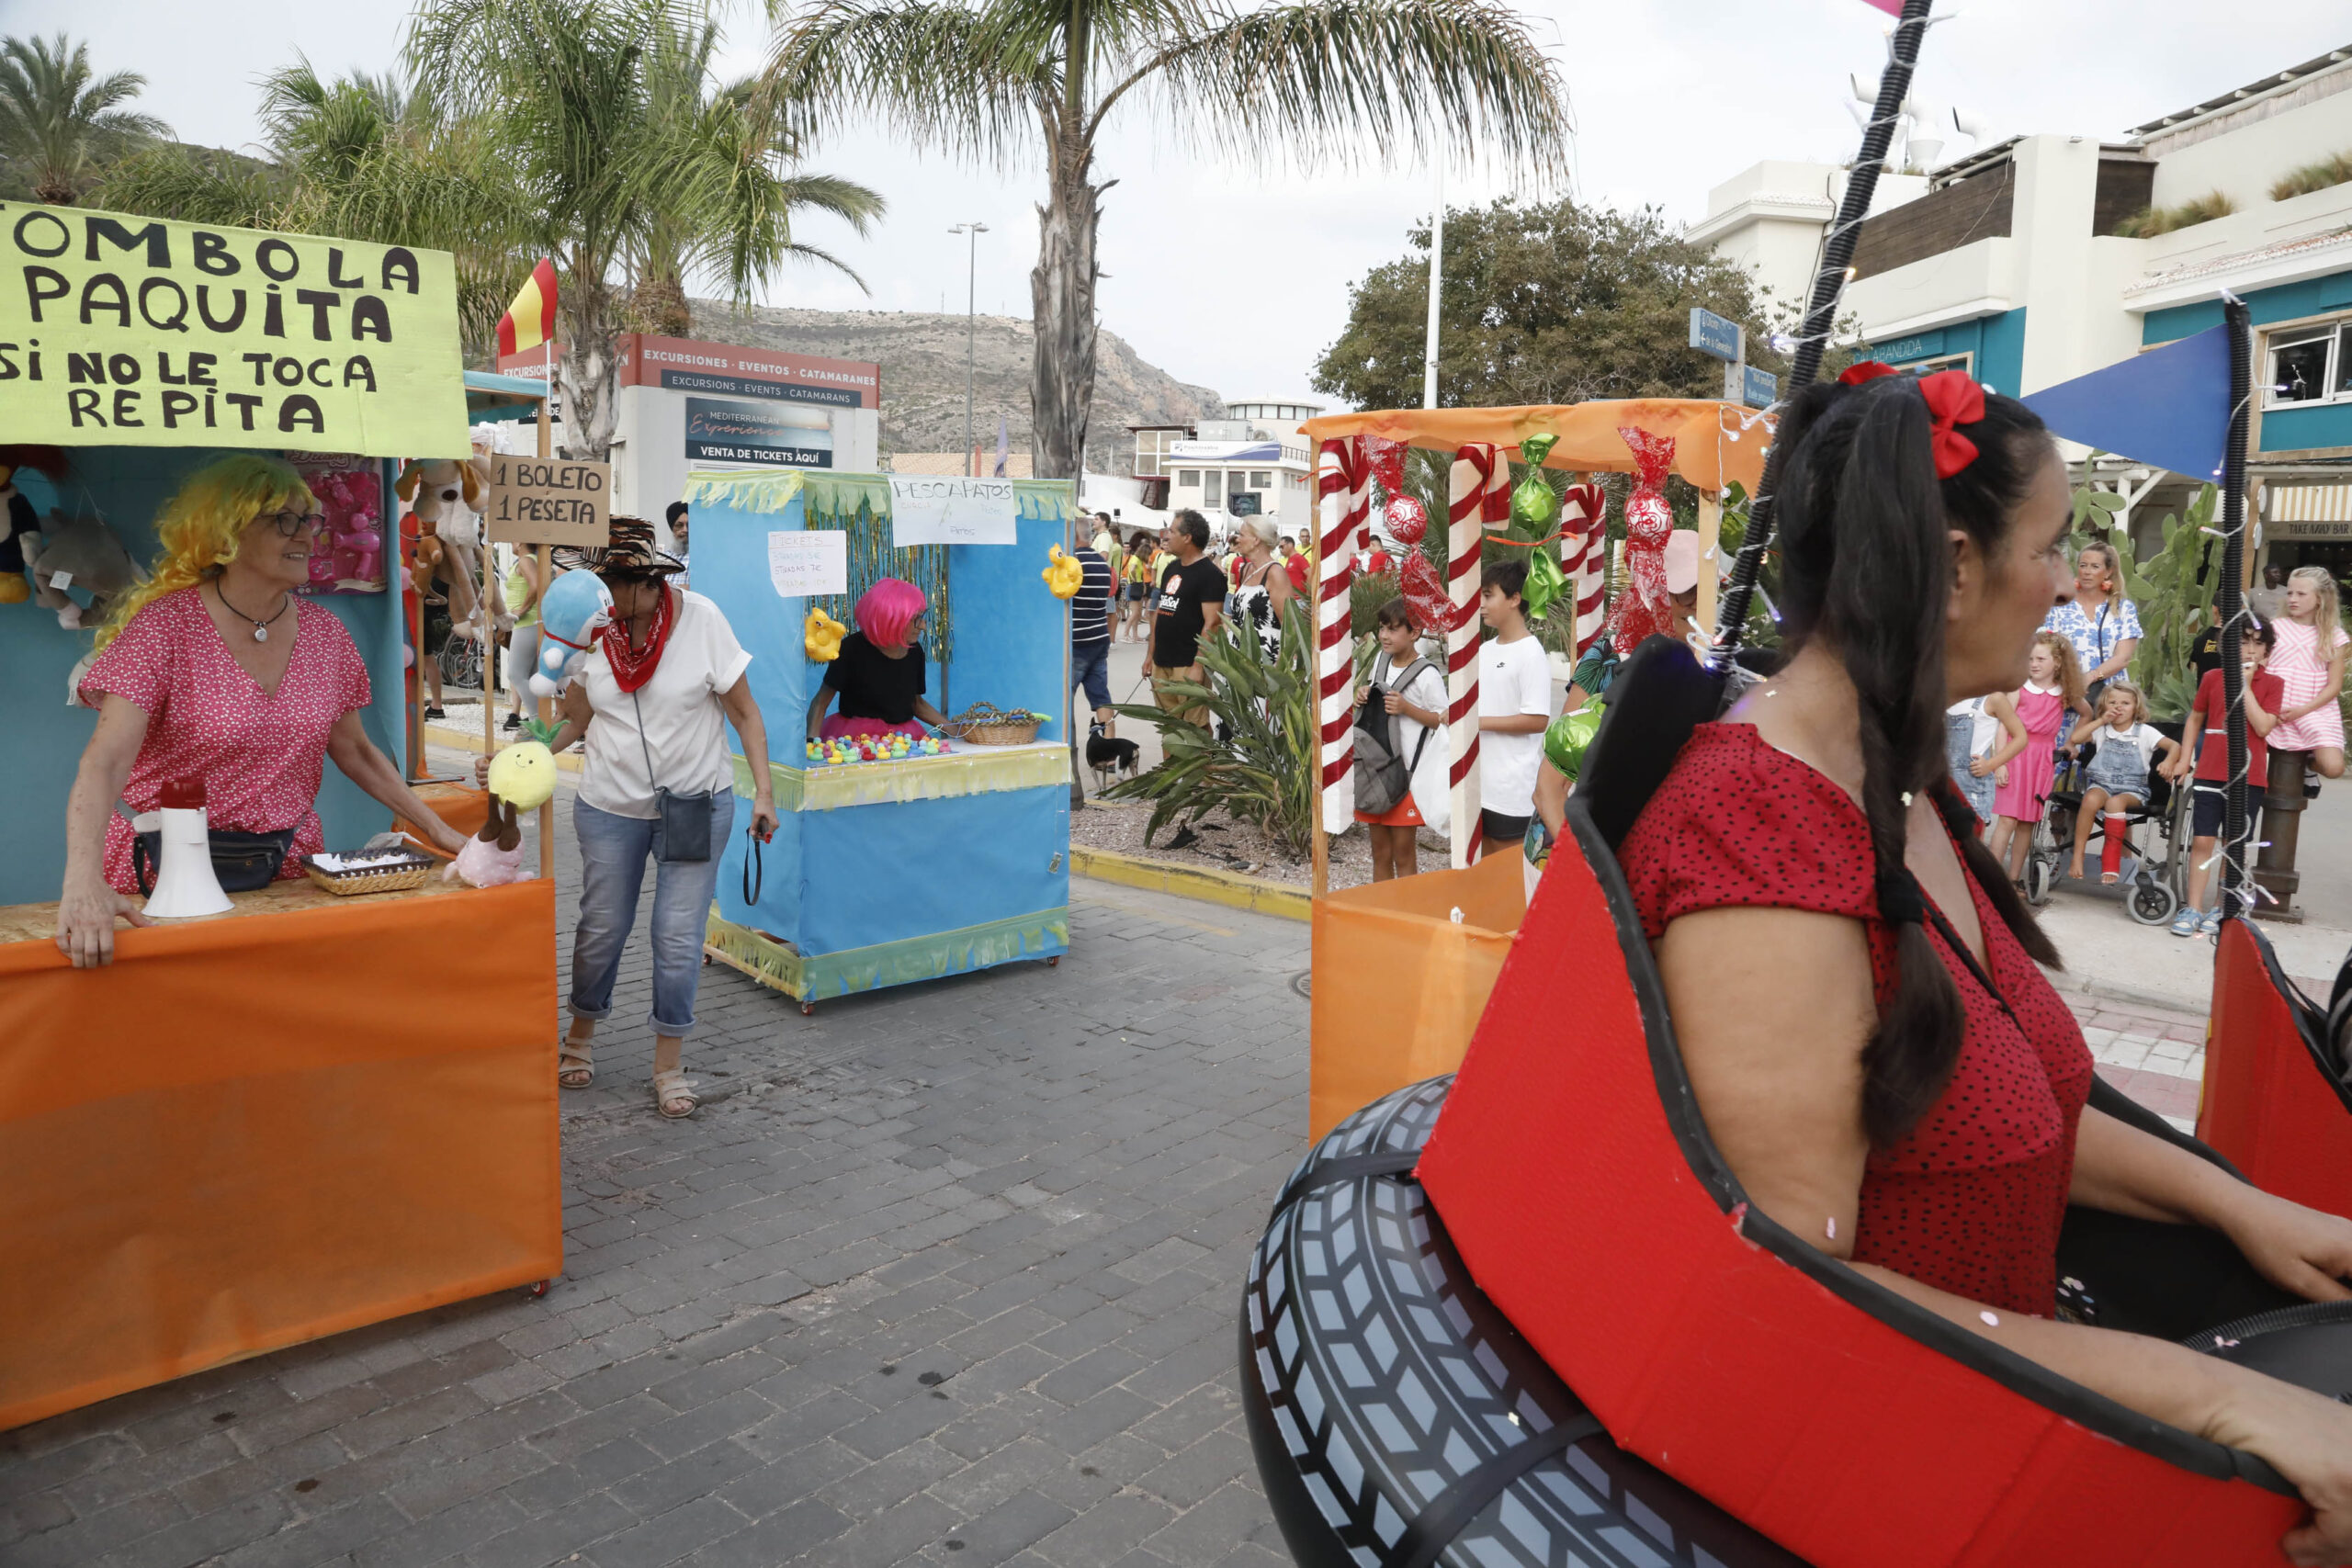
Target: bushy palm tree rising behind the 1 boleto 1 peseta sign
x: 587, y: 100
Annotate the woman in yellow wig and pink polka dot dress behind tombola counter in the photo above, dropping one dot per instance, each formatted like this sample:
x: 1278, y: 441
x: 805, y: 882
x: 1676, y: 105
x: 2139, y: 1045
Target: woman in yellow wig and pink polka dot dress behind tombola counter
x: 215, y: 669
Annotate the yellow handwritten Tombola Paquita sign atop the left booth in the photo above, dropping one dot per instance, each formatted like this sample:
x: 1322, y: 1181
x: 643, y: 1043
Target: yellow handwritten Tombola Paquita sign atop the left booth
x: 145, y: 333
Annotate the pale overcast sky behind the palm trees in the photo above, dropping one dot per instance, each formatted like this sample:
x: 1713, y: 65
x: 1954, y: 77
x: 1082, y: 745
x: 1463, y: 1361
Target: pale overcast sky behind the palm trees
x: 1238, y: 276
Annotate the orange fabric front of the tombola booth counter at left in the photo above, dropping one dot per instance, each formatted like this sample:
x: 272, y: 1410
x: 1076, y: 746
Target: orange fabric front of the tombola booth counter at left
x: 267, y: 1127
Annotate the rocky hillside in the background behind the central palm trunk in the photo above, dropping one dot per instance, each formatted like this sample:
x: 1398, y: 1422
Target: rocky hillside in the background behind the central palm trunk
x: 923, y: 375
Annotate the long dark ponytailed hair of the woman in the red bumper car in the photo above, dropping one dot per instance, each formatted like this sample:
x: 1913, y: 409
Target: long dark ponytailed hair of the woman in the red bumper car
x: 1866, y: 568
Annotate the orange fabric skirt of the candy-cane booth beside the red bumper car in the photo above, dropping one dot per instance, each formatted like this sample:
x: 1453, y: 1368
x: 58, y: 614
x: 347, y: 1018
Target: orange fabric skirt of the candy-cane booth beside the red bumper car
x: 1401, y: 984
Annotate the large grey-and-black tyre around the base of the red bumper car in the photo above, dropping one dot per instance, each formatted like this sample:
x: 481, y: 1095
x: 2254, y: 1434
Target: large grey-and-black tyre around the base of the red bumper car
x: 1403, y: 1423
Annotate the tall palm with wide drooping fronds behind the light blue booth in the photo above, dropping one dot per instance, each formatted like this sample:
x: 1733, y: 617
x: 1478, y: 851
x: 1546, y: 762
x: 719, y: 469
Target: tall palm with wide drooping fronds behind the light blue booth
x: 1309, y: 79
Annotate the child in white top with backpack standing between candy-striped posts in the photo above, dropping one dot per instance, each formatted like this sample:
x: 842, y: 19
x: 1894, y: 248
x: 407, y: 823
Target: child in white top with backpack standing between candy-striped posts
x: 1401, y: 782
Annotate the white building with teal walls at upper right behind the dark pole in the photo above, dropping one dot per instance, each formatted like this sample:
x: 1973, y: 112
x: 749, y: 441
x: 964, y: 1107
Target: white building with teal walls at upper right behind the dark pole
x: 2031, y: 262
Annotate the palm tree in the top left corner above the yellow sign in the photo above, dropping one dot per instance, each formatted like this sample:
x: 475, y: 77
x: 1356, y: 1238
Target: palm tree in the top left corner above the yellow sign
x: 58, y: 126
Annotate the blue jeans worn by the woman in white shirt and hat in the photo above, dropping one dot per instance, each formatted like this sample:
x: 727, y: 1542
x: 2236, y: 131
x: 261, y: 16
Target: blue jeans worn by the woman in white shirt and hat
x: 613, y: 873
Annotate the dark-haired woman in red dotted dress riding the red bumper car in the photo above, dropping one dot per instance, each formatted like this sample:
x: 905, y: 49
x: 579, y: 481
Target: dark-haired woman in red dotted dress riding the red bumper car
x: 1852, y: 977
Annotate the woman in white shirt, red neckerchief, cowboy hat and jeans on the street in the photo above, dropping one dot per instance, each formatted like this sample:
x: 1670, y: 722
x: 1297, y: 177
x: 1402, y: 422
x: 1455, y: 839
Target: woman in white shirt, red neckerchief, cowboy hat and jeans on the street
x: 655, y: 699
